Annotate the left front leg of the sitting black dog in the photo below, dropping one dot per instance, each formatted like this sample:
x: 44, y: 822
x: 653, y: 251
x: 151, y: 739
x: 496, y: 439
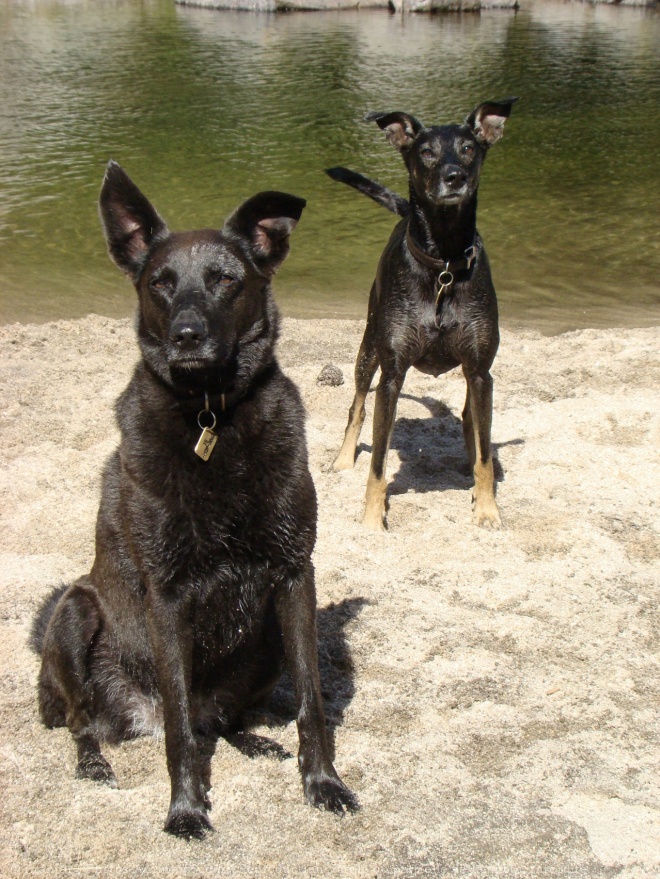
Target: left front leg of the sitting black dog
x: 170, y: 632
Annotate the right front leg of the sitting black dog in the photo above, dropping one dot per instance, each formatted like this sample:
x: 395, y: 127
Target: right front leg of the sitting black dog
x: 295, y: 604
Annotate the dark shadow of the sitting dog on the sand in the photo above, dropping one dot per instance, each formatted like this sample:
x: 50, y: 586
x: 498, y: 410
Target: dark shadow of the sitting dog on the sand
x: 337, y: 685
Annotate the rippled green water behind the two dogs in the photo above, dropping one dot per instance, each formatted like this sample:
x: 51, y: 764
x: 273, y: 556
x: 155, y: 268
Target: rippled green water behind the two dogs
x: 204, y: 108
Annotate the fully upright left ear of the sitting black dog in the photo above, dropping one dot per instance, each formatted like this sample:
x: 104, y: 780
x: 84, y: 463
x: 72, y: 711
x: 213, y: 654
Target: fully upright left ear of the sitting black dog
x: 130, y: 222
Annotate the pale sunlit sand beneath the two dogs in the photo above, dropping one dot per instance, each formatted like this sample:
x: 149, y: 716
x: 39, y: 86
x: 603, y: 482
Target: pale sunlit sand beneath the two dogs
x: 493, y: 696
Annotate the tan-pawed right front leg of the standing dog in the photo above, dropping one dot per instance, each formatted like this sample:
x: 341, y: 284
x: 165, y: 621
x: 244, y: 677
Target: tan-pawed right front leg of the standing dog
x: 478, y: 417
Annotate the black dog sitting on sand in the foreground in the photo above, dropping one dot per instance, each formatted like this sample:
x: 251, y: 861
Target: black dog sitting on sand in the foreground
x: 202, y: 583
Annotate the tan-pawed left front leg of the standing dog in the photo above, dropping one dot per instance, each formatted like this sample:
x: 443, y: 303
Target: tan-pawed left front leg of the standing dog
x: 387, y: 395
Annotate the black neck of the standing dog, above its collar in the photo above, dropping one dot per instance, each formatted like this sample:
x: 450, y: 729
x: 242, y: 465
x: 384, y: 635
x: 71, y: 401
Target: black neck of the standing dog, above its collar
x: 444, y: 232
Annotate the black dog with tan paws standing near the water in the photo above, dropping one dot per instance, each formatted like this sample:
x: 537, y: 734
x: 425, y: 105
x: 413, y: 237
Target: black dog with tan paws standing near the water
x: 433, y: 303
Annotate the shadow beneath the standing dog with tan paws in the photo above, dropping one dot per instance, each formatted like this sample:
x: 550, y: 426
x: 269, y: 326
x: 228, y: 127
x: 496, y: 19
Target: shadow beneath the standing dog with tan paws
x: 432, y: 451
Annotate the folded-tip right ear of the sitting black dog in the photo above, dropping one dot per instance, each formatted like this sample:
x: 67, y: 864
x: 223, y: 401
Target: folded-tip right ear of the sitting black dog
x: 265, y: 221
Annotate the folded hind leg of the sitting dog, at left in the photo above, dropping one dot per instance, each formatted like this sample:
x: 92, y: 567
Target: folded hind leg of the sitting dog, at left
x: 66, y: 687
